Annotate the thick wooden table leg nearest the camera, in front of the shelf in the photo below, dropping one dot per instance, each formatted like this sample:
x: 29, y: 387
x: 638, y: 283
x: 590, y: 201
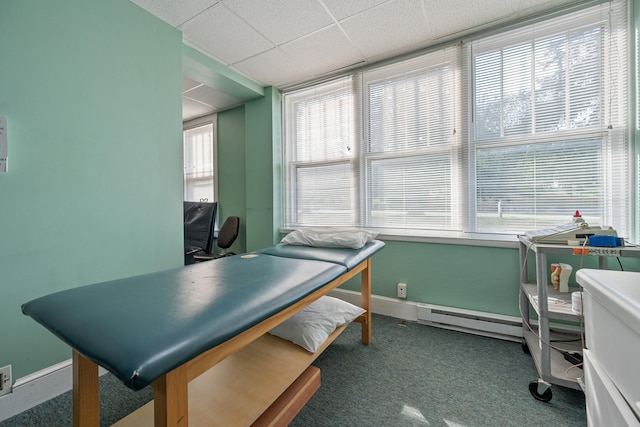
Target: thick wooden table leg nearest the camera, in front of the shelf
x: 171, y: 399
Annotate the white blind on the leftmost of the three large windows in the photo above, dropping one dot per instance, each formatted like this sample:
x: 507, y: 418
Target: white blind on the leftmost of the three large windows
x: 321, y: 177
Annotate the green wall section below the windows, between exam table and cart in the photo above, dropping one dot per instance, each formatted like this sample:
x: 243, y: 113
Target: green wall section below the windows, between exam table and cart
x: 470, y: 277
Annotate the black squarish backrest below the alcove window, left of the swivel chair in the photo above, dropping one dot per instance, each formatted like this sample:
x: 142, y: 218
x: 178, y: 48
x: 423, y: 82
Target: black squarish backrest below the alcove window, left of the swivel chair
x: 199, y: 220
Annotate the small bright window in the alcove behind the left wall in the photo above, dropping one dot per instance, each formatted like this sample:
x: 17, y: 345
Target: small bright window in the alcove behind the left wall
x: 199, y: 164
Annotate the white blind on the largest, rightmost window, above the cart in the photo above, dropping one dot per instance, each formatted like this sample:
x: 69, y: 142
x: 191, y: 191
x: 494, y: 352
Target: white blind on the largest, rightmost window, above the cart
x: 549, y: 132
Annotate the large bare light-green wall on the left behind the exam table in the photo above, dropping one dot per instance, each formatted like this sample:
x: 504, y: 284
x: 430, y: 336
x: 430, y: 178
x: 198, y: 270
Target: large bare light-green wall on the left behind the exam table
x: 91, y: 91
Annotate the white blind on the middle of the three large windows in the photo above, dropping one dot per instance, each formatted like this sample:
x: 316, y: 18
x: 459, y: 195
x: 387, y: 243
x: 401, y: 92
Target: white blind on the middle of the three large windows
x: 410, y: 146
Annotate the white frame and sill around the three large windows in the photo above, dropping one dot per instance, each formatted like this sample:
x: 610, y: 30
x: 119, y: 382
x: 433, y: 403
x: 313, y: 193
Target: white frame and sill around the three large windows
x: 464, y: 160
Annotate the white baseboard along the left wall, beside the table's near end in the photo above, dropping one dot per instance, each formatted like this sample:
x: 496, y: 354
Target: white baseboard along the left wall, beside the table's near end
x: 37, y: 388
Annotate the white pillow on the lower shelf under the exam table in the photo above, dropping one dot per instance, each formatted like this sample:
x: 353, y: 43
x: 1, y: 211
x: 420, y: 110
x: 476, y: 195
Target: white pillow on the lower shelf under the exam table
x: 311, y: 327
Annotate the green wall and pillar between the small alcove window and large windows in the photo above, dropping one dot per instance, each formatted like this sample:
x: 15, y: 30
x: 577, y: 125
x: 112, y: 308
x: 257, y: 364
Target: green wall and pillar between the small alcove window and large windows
x: 249, y: 169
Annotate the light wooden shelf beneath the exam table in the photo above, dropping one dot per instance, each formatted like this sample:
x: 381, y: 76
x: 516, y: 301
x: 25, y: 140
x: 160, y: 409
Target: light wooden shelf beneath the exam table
x: 238, y: 390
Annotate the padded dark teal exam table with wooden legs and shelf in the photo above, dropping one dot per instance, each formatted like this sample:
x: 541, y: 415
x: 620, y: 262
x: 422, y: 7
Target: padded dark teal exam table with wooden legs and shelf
x: 197, y: 334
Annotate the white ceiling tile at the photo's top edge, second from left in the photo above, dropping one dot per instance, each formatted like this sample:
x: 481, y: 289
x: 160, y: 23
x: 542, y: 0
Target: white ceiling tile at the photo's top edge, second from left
x: 281, y: 21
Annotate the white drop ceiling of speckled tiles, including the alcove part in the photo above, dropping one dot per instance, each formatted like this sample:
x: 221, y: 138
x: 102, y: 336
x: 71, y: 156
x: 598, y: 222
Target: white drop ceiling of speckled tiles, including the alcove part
x: 283, y: 42
